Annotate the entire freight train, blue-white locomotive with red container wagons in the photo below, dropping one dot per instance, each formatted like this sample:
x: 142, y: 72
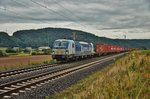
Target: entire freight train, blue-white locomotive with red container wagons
x: 65, y: 50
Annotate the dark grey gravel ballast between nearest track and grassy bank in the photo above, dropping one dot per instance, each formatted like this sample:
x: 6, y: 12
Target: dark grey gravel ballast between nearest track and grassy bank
x: 61, y: 83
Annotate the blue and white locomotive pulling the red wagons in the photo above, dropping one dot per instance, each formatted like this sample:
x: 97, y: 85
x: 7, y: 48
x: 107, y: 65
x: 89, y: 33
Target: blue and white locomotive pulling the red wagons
x: 64, y: 49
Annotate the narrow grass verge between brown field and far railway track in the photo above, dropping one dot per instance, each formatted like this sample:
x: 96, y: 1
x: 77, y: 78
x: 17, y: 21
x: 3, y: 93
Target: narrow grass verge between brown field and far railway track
x: 5, y: 68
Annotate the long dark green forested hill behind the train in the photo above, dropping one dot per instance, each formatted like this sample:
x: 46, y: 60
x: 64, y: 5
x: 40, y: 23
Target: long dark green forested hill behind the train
x: 46, y: 36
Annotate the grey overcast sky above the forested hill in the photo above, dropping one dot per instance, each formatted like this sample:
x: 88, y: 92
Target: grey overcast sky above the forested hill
x: 109, y: 18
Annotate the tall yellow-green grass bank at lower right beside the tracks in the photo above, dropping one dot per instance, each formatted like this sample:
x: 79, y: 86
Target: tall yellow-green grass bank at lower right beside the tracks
x: 127, y: 78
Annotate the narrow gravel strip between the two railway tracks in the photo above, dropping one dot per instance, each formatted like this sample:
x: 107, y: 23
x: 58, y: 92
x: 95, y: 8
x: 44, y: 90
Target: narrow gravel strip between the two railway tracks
x: 26, y: 74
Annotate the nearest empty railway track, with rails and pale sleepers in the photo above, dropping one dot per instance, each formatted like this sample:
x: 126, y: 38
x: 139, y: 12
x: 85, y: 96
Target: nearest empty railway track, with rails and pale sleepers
x: 7, y: 90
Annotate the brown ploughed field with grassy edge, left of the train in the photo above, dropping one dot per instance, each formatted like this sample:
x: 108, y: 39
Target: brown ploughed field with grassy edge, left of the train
x: 7, y: 63
